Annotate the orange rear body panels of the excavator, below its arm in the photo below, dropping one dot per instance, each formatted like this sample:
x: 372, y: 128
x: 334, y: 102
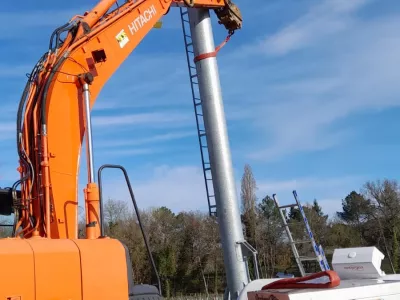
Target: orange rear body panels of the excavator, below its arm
x: 47, y: 269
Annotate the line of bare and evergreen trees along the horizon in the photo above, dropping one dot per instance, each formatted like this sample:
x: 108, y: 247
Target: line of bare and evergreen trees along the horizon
x: 187, y: 250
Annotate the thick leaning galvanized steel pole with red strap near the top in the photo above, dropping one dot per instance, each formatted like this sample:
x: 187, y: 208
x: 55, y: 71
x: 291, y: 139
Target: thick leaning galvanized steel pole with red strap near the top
x: 230, y: 226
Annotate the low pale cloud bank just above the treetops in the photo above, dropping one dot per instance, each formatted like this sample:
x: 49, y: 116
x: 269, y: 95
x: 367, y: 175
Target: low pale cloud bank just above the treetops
x: 182, y: 188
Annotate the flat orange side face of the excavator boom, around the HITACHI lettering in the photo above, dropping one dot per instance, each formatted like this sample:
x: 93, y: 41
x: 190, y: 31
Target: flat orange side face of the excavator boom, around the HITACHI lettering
x: 65, y: 123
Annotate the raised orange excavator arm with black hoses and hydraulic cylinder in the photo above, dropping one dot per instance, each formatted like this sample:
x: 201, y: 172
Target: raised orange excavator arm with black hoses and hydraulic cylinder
x: 51, y: 122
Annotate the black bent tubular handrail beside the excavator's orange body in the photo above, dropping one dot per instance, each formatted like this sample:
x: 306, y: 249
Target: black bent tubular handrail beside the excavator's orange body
x: 137, y: 215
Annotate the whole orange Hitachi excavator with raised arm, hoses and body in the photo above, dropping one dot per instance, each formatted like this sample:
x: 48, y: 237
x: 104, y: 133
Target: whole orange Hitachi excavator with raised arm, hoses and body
x: 45, y: 259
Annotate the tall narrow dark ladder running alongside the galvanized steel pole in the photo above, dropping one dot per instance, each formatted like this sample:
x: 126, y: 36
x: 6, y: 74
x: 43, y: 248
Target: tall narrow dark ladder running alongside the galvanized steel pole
x: 198, y: 111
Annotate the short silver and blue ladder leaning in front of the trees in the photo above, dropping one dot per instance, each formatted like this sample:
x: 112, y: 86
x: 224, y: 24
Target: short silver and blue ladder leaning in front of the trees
x: 319, y: 252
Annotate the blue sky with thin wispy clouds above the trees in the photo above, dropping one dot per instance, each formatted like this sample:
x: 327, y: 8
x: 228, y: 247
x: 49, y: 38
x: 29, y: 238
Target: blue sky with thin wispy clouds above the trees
x: 310, y: 92
